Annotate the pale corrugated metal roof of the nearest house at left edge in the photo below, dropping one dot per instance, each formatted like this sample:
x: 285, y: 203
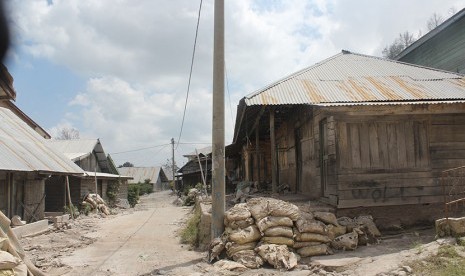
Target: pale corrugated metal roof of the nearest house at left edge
x: 23, y: 149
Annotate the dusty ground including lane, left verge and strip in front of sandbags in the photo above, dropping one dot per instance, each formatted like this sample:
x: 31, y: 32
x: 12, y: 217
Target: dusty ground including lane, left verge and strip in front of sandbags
x: 144, y: 241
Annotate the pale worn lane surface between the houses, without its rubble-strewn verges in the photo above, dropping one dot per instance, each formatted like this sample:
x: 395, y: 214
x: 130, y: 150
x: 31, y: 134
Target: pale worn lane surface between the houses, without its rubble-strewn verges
x: 143, y: 242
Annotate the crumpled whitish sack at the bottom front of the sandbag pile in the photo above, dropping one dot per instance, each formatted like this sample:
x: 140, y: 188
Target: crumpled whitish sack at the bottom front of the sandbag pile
x: 278, y: 256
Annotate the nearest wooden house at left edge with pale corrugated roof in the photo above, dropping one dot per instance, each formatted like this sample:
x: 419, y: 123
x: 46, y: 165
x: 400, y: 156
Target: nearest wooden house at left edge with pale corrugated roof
x: 26, y: 160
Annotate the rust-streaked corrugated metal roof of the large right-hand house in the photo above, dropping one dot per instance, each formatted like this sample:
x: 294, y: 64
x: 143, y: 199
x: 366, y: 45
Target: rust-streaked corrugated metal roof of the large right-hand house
x: 352, y: 78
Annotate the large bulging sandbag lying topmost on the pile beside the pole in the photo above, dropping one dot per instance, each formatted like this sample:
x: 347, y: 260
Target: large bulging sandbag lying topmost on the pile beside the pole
x: 261, y: 207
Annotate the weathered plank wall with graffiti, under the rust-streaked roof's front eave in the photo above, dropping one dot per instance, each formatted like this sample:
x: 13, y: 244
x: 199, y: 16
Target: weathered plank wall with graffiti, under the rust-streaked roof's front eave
x: 396, y: 160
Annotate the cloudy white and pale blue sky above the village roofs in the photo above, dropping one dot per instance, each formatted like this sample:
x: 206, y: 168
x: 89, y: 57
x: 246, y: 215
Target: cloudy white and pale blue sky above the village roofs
x: 118, y: 70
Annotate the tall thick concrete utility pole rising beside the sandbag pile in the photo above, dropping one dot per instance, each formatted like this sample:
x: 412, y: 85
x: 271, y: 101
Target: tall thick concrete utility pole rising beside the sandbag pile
x: 218, y: 187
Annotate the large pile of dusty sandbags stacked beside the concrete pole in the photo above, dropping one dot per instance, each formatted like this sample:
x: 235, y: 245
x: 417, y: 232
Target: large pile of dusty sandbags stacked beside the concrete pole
x: 272, y: 231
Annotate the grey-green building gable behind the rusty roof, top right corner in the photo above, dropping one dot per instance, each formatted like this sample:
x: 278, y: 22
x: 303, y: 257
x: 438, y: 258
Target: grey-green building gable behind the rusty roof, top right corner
x: 441, y: 48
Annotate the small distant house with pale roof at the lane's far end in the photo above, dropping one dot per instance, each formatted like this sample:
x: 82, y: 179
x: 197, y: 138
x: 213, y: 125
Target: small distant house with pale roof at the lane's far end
x: 154, y: 175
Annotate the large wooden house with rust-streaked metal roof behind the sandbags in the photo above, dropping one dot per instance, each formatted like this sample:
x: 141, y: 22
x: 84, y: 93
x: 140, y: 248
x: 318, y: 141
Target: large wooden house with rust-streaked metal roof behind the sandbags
x: 357, y: 132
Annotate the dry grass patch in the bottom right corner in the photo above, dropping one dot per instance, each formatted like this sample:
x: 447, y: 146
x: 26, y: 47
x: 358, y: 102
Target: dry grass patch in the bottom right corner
x: 447, y: 262
